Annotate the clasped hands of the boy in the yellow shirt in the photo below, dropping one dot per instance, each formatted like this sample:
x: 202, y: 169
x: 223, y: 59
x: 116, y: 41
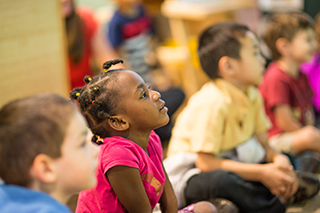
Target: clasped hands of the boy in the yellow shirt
x: 279, y: 181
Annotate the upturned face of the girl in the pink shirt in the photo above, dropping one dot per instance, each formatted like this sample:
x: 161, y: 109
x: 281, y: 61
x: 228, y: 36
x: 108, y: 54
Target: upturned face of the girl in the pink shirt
x: 143, y: 108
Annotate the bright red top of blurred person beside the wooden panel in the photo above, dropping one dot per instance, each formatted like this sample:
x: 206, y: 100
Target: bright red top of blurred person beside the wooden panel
x: 82, y: 68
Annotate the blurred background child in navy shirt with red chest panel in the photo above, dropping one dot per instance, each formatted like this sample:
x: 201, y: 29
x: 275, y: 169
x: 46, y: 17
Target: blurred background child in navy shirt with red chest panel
x: 131, y: 34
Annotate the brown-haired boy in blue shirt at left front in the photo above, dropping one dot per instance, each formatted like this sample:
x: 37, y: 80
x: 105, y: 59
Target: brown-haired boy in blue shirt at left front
x: 45, y: 156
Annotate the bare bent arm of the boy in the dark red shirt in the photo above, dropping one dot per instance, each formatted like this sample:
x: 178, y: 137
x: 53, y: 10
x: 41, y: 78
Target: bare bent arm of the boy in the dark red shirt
x: 285, y: 119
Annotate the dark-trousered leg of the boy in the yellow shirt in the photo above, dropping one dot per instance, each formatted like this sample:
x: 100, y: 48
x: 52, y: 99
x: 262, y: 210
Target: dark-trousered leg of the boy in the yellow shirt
x: 246, y: 195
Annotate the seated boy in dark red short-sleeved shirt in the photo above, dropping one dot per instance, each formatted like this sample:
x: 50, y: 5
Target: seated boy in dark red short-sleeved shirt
x: 286, y: 91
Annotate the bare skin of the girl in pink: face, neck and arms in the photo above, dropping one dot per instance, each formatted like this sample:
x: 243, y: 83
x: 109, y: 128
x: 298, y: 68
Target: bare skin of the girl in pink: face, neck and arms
x: 133, y: 124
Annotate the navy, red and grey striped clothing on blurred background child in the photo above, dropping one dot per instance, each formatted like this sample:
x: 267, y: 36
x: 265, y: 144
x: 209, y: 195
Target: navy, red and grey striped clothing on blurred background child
x: 133, y: 35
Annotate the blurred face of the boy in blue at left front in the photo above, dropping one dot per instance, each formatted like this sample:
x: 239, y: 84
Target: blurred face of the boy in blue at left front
x: 77, y: 164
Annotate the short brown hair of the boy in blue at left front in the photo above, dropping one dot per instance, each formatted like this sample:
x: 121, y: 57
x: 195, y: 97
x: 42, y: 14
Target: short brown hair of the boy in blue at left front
x: 28, y: 127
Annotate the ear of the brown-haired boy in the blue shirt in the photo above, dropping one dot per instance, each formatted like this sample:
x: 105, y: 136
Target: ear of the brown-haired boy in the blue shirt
x: 43, y: 169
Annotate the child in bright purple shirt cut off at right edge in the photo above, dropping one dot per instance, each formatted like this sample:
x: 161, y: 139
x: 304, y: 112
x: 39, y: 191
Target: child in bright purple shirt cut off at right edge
x: 312, y: 70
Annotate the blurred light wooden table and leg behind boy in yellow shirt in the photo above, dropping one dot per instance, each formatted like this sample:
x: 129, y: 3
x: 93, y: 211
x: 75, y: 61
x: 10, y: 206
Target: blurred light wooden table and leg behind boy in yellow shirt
x: 187, y: 20
